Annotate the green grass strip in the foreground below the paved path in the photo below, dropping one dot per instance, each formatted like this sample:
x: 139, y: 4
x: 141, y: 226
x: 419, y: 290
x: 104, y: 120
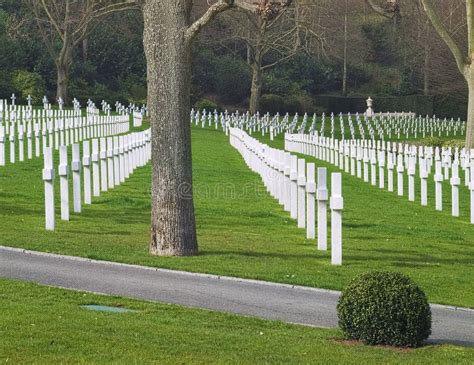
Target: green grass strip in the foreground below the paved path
x: 43, y: 325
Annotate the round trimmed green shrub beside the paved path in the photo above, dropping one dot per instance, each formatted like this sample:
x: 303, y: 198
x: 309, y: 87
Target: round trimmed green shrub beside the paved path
x: 385, y: 308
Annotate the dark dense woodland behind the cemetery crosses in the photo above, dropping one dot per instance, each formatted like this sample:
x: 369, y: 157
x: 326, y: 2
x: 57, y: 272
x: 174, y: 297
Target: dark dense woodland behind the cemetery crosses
x: 320, y: 56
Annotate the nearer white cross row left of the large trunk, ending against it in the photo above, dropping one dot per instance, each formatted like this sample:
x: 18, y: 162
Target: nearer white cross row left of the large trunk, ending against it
x: 106, y: 163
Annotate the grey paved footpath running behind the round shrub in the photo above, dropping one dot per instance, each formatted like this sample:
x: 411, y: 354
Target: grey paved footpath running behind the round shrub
x: 294, y: 304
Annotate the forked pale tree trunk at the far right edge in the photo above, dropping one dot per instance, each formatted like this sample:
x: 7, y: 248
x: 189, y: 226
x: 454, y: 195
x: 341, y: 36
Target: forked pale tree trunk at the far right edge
x: 464, y: 62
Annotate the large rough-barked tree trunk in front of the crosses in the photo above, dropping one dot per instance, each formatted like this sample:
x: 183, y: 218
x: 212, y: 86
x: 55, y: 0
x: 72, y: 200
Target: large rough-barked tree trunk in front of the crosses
x: 173, y: 229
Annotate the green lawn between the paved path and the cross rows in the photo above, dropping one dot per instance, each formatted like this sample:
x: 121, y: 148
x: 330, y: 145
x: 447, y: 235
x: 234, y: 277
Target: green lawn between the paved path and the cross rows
x: 244, y: 232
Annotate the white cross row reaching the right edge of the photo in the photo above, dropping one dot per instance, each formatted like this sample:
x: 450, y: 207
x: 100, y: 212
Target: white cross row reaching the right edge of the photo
x: 381, y: 159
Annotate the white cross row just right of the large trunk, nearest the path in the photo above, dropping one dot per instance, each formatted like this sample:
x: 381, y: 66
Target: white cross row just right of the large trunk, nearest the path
x: 293, y: 183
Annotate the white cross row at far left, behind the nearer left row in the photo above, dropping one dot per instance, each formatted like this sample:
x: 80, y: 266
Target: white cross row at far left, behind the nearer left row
x: 50, y: 128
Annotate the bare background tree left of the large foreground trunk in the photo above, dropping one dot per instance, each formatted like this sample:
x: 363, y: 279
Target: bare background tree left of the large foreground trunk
x: 65, y: 24
